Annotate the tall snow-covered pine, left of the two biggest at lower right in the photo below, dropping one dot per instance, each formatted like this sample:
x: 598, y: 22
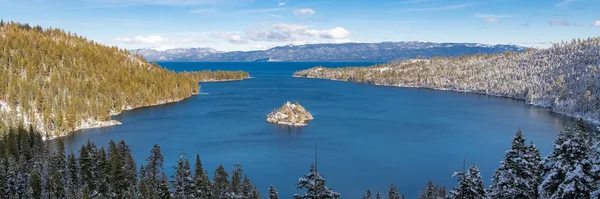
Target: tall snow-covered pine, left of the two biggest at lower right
x: 518, y: 174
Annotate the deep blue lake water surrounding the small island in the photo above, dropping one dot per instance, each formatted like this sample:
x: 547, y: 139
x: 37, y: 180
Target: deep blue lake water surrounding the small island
x: 367, y: 136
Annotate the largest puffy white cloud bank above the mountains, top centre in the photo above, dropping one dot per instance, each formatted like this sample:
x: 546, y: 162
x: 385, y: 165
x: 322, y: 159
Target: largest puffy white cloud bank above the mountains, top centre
x: 294, y: 32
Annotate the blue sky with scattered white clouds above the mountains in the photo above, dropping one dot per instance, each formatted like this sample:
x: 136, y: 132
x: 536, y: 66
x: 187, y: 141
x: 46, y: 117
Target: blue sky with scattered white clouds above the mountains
x: 243, y: 25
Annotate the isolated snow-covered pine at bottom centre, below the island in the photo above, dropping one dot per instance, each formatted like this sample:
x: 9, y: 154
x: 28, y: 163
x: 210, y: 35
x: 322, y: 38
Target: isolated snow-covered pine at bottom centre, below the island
x: 314, y: 183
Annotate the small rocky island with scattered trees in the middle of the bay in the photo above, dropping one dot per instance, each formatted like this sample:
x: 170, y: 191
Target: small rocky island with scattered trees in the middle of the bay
x: 290, y: 114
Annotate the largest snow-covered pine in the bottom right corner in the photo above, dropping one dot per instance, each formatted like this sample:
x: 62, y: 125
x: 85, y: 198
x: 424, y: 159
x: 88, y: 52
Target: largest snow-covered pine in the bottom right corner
x: 569, y: 173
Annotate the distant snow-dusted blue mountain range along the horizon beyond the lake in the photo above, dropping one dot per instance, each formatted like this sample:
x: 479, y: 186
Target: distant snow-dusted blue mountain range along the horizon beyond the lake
x: 351, y: 52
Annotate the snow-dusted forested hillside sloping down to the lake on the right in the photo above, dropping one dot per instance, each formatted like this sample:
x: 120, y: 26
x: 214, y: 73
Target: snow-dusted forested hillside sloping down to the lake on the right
x: 564, y: 77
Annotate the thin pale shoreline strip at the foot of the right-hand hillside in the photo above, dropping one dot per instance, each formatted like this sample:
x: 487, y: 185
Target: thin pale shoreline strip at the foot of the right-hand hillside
x: 595, y: 122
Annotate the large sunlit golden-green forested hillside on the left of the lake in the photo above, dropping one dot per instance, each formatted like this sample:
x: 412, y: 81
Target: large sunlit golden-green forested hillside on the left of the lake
x: 60, y: 82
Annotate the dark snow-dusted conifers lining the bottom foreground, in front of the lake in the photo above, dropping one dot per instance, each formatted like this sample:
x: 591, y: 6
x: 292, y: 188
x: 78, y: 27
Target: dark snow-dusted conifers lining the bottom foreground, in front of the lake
x: 30, y: 169
